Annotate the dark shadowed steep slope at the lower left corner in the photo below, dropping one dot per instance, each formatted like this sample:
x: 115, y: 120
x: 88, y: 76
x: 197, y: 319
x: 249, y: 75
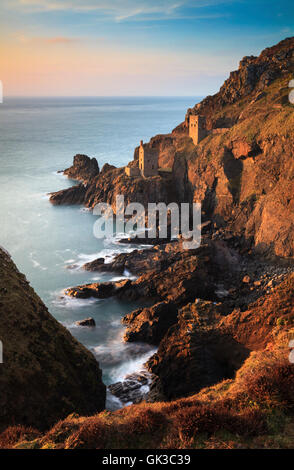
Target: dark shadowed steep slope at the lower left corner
x: 46, y: 374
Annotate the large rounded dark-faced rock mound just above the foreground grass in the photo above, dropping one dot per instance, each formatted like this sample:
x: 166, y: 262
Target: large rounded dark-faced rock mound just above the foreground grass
x: 194, y: 353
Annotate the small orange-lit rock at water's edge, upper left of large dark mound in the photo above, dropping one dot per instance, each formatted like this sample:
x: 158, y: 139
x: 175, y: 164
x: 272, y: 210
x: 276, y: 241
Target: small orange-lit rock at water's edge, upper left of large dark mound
x: 151, y: 323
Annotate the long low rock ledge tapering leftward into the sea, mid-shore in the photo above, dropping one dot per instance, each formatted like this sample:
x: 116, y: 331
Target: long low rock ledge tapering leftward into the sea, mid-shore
x: 187, y: 274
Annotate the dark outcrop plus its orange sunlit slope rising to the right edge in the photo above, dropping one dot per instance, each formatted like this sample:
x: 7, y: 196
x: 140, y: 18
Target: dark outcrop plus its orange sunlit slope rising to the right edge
x: 206, y: 346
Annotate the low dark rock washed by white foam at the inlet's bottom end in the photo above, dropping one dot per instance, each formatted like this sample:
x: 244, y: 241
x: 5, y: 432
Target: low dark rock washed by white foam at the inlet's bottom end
x: 134, y: 388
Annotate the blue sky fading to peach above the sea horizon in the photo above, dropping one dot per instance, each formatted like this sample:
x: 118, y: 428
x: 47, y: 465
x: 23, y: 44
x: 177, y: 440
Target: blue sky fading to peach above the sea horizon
x: 132, y: 47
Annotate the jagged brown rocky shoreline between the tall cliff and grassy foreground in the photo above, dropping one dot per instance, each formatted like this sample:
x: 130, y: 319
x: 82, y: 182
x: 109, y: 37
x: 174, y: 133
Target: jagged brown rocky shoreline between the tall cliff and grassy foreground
x: 235, y: 282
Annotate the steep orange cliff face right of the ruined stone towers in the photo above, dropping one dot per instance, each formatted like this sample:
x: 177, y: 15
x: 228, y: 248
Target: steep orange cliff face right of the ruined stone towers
x: 244, y: 177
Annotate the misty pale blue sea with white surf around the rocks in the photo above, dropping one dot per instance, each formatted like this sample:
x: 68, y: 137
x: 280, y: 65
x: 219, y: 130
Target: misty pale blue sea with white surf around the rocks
x: 38, y: 137
